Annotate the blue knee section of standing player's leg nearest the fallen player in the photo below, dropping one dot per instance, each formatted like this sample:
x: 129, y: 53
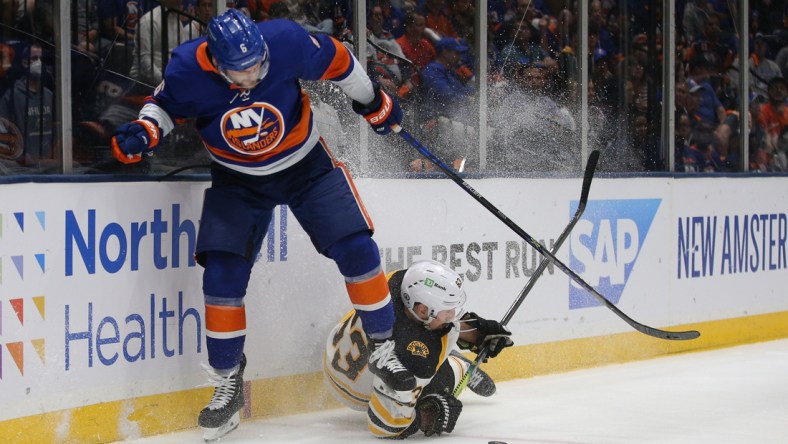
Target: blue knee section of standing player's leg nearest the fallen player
x: 355, y: 255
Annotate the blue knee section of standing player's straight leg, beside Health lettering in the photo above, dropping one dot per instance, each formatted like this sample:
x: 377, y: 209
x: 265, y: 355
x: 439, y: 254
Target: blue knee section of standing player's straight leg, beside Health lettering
x: 226, y: 277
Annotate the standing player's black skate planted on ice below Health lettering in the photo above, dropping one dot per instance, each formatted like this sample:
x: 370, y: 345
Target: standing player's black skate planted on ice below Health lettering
x: 221, y: 416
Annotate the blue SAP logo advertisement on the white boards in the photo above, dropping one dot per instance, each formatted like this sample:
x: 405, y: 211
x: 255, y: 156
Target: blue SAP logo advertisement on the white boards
x: 605, y: 245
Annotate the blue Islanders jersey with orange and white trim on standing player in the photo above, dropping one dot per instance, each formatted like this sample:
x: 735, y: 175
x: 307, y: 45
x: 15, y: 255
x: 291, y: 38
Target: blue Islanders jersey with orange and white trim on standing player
x: 270, y: 127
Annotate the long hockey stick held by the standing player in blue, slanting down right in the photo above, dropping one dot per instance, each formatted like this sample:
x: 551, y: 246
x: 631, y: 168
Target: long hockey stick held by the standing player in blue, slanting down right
x: 645, y: 329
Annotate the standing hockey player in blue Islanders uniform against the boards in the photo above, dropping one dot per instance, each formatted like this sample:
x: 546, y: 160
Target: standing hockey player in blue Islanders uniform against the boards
x: 241, y: 83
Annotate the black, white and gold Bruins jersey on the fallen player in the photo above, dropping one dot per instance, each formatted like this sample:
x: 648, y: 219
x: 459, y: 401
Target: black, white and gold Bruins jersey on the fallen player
x: 421, y: 351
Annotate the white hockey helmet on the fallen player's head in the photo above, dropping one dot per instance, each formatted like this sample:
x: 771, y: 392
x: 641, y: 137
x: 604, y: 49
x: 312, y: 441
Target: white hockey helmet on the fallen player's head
x: 436, y: 286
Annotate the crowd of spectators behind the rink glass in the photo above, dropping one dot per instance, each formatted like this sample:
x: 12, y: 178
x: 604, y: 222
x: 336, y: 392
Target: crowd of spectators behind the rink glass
x: 422, y: 52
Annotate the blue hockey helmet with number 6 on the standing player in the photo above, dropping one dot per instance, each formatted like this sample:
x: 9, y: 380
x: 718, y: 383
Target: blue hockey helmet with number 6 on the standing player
x: 235, y: 41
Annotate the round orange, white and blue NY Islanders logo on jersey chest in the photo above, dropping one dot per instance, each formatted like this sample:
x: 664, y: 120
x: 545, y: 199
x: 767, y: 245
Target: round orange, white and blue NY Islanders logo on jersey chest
x: 253, y: 130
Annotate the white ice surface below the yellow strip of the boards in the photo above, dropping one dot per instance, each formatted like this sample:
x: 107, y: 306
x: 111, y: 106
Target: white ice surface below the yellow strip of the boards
x: 731, y: 395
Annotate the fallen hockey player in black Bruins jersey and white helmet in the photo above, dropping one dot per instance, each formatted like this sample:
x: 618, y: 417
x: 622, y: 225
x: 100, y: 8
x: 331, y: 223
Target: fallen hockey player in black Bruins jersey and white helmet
x: 430, y: 327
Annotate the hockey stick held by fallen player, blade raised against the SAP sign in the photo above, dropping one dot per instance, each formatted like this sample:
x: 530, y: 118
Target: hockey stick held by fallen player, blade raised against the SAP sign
x: 581, y: 206
